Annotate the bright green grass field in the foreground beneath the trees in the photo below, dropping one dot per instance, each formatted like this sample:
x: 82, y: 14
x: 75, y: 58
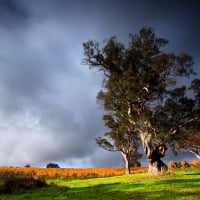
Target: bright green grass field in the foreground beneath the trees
x: 182, y: 185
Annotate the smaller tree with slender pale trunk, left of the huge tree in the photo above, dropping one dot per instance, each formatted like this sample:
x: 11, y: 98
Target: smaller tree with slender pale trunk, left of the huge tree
x: 123, y: 140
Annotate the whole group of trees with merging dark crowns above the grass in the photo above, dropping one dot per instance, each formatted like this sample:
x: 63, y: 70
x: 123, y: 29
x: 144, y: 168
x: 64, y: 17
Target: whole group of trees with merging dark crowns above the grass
x: 143, y: 98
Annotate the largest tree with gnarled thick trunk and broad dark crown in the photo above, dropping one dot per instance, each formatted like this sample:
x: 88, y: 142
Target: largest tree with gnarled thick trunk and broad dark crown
x: 141, y: 86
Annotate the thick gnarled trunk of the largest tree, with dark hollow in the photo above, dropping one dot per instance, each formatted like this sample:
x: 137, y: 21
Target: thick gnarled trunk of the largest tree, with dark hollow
x: 153, y: 154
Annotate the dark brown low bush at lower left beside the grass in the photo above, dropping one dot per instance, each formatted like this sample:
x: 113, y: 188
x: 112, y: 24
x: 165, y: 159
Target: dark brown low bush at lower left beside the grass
x: 15, y: 184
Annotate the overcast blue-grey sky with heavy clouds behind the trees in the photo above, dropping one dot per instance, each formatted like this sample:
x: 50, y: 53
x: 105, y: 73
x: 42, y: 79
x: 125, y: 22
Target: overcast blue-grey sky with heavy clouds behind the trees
x: 48, y: 109
